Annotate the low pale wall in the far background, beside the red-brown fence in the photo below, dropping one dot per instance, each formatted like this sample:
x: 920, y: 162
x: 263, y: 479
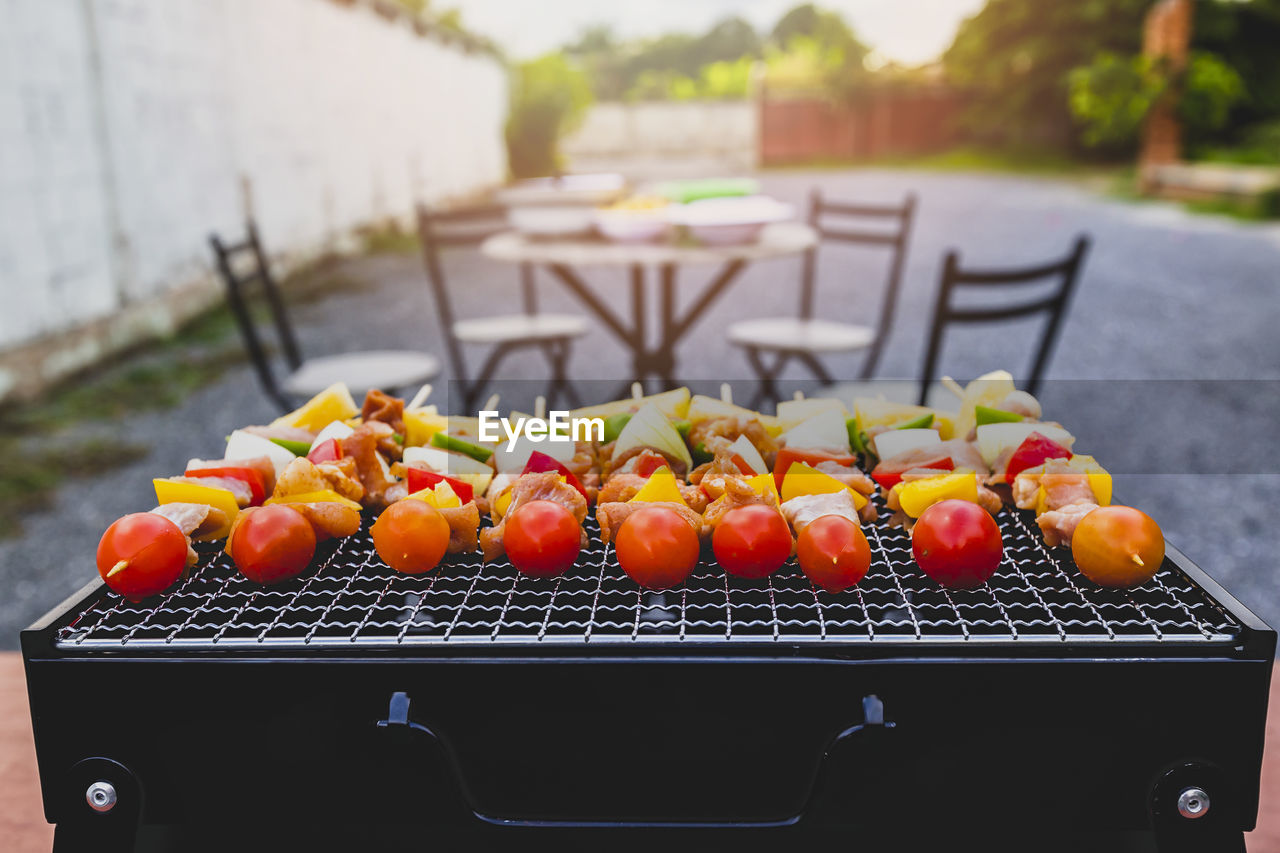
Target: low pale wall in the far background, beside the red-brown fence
x: 668, y: 131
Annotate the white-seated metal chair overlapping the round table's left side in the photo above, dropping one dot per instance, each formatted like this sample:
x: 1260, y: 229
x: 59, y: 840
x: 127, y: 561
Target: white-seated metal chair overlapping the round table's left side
x: 506, y: 334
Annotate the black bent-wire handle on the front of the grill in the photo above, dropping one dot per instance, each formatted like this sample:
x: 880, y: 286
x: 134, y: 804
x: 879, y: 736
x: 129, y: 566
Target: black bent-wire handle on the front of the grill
x: 874, y: 722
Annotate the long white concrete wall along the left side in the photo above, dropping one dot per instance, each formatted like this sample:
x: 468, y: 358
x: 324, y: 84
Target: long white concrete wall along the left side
x: 132, y: 129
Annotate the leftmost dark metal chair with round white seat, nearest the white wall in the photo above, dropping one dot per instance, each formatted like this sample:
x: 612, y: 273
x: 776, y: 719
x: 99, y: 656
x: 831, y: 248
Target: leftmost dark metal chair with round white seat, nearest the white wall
x: 382, y: 370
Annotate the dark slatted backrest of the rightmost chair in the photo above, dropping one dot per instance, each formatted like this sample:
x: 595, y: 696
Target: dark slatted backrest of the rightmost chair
x: 1067, y: 272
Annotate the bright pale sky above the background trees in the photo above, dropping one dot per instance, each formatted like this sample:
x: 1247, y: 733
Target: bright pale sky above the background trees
x: 907, y: 31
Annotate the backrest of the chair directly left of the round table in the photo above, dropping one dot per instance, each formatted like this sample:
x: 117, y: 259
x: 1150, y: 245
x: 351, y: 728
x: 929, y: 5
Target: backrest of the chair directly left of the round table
x: 440, y: 230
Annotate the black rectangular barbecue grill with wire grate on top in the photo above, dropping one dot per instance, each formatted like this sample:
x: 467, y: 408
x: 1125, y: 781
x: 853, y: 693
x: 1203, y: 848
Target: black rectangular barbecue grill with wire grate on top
x: 477, y: 700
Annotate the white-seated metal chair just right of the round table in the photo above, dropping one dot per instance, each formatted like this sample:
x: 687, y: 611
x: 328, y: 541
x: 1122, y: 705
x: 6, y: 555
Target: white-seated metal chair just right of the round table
x: 804, y: 337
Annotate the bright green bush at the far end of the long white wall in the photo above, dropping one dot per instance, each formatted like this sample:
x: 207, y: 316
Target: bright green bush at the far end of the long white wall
x: 548, y: 99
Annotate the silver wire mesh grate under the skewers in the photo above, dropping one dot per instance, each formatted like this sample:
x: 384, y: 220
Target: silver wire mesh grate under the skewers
x: 354, y: 600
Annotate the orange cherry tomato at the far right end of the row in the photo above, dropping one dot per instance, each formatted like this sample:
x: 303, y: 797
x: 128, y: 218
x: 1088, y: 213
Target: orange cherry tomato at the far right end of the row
x: 1118, y: 546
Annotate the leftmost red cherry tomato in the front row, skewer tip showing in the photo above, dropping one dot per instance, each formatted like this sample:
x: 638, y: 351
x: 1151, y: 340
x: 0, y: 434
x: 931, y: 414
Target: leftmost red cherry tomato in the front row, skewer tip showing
x: 141, y: 555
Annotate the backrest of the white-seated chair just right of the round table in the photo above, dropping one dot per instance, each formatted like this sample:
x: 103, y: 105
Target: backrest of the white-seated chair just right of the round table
x: 895, y: 236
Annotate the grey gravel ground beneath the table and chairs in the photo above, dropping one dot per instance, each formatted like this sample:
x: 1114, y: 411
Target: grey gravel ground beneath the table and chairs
x: 1183, y: 309
